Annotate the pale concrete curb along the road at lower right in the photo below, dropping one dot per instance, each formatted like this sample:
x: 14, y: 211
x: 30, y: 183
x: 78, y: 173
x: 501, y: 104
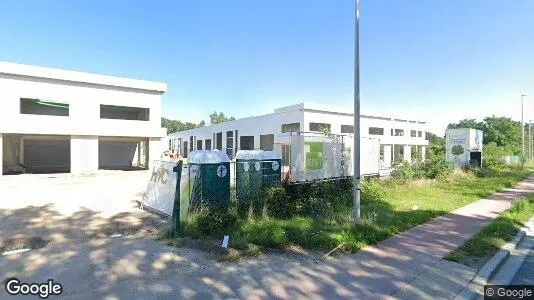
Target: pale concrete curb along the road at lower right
x: 476, y: 286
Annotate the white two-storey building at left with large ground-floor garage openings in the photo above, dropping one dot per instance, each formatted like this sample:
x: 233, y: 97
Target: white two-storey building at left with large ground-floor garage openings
x: 55, y: 120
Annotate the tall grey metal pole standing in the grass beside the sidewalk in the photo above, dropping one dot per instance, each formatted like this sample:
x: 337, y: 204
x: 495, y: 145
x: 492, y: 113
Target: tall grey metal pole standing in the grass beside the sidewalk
x: 356, y: 175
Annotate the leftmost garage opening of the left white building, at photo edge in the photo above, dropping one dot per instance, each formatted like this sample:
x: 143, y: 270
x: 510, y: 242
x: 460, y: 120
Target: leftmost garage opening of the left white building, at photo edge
x: 38, y: 154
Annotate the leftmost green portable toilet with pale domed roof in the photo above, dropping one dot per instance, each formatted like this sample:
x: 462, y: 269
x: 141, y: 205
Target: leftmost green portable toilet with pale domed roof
x: 209, y: 177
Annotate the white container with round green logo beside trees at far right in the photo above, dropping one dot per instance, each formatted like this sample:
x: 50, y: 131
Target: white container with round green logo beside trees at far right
x: 464, y: 147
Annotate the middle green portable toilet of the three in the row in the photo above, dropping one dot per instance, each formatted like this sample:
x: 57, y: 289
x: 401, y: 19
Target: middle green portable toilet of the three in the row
x: 248, y: 174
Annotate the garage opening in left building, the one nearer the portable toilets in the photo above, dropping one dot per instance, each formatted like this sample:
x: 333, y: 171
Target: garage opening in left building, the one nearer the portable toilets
x: 115, y: 153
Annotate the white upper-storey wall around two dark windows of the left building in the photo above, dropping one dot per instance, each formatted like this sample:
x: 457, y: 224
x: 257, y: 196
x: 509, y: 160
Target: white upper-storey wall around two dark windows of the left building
x: 84, y: 109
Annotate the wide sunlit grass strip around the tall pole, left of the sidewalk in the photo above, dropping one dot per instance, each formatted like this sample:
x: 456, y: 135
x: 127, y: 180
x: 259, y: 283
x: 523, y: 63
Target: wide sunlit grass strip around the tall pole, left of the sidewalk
x: 402, y: 206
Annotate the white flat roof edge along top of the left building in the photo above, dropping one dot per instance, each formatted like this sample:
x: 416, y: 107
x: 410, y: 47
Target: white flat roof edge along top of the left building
x: 81, y: 77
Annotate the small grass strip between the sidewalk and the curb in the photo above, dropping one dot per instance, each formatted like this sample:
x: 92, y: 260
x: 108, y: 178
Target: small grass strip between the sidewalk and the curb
x: 480, y: 248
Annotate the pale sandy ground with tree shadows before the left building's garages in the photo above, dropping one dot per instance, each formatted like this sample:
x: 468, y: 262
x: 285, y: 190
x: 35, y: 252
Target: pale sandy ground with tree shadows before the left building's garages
x: 88, y: 234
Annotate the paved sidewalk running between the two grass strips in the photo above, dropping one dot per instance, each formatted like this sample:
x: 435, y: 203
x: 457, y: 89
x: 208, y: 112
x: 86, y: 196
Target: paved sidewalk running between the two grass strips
x: 393, y: 267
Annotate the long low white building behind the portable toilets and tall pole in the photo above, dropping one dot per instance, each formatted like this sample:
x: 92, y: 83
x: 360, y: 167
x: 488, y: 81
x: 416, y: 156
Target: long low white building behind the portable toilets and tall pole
x: 262, y: 132
